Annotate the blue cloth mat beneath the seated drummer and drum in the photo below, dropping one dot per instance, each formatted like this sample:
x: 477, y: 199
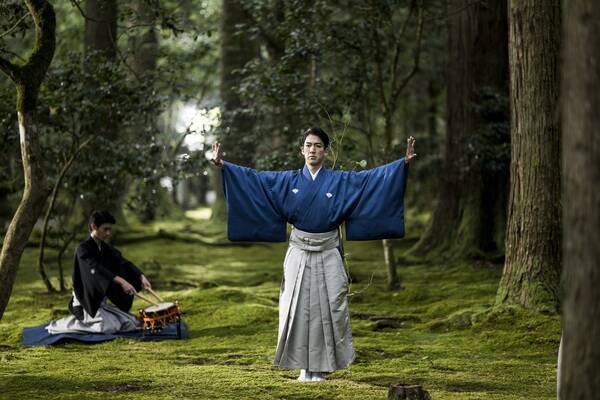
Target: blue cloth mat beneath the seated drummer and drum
x: 39, y: 336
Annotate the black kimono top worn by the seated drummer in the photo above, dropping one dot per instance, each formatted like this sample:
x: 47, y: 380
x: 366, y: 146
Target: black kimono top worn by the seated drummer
x: 93, y: 273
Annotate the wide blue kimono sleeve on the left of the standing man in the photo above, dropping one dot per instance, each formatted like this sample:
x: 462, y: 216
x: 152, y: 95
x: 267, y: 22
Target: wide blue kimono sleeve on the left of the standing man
x: 253, y: 214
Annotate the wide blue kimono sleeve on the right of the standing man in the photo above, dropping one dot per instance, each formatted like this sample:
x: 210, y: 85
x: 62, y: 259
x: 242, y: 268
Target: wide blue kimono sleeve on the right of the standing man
x: 379, y: 209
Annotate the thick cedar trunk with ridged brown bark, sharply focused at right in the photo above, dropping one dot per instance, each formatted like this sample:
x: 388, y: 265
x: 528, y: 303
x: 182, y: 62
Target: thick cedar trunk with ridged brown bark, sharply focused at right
x: 532, y: 267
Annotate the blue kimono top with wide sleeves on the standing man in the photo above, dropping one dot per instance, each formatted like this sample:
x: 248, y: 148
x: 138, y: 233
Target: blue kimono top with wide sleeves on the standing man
x: 260, y: 204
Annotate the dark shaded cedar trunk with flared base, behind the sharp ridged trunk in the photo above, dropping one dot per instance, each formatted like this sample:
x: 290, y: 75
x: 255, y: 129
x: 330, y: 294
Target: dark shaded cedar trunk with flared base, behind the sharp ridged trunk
x: 469, y: 216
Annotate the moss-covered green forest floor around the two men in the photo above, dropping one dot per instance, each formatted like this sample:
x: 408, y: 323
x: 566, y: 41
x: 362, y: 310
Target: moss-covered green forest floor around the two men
x: 447, y: 336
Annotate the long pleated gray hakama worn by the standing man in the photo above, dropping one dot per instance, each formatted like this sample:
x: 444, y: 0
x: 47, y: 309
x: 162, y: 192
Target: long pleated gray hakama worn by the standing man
x: 314, y: 322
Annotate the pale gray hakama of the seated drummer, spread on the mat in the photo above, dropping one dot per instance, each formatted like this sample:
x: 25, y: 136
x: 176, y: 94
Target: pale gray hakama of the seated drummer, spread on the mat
x: 109, y: 319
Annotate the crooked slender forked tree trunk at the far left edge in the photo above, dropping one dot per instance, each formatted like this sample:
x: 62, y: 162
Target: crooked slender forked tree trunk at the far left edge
x: 28, y: 78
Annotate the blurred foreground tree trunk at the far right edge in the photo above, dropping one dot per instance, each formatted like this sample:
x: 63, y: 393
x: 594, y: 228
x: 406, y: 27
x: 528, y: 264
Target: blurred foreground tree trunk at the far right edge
x: 581, y: 213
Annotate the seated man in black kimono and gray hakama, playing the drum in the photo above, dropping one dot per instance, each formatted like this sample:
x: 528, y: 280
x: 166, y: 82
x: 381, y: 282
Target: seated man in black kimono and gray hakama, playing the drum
x: 101, y: 273
